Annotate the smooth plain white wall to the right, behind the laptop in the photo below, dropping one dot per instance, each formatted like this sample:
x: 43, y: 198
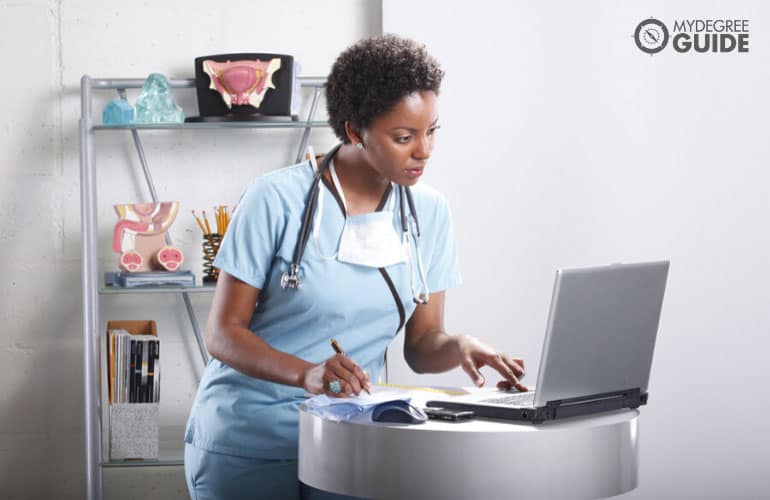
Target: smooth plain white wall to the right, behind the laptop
x: 564, y: 145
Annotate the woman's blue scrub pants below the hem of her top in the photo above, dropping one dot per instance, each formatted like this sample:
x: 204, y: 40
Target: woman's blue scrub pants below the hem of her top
x: 214, y: 476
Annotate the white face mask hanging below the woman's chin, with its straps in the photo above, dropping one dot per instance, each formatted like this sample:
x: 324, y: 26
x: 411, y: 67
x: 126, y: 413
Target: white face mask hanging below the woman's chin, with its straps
x: 368, y: 239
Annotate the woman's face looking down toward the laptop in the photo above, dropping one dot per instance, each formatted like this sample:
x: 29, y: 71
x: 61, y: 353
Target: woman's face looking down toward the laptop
x: 398, y: 144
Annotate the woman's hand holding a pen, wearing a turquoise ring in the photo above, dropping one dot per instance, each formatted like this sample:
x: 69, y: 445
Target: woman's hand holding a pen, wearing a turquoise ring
x: 352, y: 378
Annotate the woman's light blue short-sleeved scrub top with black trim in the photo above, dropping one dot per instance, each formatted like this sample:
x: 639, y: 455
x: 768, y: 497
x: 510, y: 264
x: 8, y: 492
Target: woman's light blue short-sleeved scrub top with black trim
x: 243, y: 416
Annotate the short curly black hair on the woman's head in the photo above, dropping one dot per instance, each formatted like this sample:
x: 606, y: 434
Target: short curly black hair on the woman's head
x: 371, y: 76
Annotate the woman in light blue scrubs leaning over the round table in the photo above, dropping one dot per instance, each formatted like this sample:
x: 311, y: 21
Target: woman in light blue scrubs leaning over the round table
x: 357, y: 284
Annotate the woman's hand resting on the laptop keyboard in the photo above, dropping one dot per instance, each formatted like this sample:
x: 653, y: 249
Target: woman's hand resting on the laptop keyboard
x: 475, y: 354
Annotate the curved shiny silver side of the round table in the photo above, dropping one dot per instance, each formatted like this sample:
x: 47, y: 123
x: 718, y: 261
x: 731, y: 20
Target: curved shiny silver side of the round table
x: 580, y: 458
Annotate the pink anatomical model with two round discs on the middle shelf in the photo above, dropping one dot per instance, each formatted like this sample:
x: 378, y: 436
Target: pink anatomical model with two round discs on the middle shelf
x: 140, y: 237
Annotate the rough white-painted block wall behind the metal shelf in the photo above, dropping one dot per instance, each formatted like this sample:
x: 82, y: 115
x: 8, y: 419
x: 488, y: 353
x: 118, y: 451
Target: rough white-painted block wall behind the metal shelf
x: 47, y: 46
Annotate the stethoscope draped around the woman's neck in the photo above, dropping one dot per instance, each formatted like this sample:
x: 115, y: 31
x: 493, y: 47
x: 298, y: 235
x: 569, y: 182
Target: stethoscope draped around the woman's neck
x: 291, y: 278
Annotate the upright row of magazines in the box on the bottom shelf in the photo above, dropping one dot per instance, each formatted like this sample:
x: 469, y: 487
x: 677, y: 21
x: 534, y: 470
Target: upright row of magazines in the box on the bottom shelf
x: 134, y: 367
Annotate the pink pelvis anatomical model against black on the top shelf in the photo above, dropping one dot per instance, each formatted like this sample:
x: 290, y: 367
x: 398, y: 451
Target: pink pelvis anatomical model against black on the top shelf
x: 241, y: 82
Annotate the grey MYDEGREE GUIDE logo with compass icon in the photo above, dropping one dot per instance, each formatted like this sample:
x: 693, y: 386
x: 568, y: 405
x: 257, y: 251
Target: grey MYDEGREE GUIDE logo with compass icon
x: 693, y: 35
